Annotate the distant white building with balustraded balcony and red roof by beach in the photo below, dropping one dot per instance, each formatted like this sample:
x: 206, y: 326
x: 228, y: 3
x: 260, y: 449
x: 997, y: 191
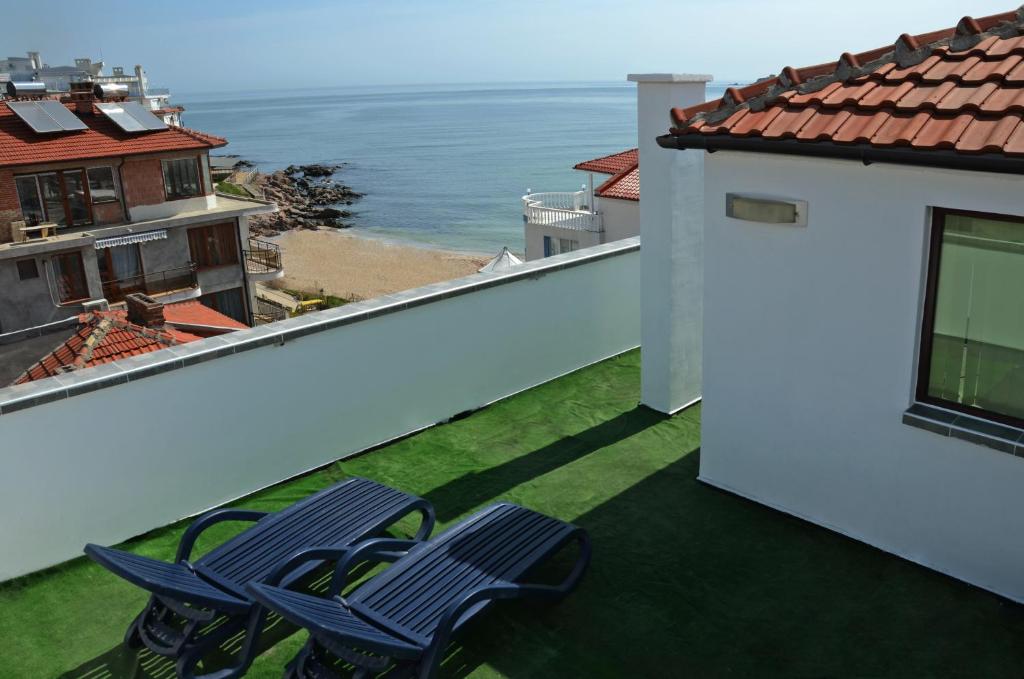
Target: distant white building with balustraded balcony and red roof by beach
x: 558, y: 223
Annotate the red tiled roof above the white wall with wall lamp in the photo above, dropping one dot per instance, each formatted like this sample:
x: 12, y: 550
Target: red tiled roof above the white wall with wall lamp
x: 960, y: 90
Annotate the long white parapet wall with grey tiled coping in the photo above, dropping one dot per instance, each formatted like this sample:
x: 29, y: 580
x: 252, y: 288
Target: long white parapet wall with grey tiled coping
x: 106, y: 454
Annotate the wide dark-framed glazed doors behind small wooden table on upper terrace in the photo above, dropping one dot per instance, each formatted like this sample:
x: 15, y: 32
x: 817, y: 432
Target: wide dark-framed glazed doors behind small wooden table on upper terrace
x: 62, y: 198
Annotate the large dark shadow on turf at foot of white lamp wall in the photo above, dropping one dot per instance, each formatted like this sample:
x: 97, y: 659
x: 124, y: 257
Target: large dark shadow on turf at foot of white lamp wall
x: 691, y: 581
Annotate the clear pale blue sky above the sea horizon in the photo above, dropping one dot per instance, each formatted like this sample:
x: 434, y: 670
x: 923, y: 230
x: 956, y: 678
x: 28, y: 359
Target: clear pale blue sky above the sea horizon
x: 193, y: 46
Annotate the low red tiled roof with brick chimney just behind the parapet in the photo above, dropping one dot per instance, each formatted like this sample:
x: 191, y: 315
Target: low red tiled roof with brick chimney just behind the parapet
x: 107, y: 336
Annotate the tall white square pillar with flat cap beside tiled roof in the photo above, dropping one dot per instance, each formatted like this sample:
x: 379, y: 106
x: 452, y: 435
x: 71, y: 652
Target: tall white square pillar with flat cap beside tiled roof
x: 672, y: 245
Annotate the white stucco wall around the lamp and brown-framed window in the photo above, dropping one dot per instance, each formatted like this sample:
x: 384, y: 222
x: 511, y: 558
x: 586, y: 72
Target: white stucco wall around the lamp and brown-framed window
x: 809, y: 361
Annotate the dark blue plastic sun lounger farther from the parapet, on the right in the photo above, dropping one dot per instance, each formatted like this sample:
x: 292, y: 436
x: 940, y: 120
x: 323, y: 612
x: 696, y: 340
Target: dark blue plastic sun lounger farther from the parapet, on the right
x: 405, y: 617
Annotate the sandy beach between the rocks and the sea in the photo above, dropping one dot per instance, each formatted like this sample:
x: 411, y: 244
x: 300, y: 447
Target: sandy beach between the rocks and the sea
x: 357, y: 268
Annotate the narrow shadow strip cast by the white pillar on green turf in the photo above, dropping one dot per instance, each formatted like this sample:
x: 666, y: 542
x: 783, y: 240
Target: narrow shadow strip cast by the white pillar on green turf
x: 471, y: 491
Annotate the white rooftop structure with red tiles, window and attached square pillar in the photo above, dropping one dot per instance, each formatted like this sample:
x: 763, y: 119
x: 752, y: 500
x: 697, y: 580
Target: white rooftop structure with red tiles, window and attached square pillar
x: 833, y: 261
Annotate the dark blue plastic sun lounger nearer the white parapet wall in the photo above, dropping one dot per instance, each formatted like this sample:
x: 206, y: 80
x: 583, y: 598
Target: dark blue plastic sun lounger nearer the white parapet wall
x: 281, y: 548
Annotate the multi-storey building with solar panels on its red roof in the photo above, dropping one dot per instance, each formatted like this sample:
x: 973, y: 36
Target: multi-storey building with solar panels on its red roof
x: 100, y: 199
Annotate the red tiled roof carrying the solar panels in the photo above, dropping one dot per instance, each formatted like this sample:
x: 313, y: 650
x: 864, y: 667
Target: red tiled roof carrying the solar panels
x: 20, y: 146
